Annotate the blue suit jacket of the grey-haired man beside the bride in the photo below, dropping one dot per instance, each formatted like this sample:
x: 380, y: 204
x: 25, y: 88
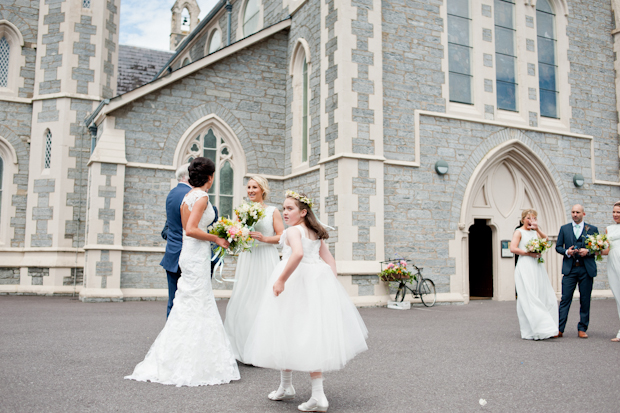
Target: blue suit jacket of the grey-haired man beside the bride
x: 174, y: 234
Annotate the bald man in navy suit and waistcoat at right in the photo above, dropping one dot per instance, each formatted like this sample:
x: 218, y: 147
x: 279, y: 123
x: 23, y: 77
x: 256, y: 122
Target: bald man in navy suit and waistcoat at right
x: 578, y: 267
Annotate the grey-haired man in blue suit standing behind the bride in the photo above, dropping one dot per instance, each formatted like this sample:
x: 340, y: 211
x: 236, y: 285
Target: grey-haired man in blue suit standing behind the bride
x: 173, y: 232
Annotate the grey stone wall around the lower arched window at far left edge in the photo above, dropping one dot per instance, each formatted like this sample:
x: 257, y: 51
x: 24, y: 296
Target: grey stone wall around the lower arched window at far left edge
x: 15, y: 126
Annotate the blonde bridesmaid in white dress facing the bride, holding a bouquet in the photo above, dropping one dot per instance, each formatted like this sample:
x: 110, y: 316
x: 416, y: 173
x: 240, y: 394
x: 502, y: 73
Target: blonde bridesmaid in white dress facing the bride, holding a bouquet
x: 253, y: 269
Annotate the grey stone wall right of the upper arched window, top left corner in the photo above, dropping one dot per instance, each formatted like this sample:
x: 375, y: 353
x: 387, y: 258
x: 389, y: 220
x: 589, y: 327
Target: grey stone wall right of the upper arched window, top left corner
x: 25, y: 16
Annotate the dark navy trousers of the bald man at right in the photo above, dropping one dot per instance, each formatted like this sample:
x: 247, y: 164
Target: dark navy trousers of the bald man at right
x: 577, y: 275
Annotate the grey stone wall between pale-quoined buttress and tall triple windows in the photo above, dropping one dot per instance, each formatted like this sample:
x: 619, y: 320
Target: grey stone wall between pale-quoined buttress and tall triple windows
x: 412, y: 75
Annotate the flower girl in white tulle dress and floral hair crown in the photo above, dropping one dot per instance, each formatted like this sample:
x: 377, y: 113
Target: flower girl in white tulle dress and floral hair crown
x: 306, y: 321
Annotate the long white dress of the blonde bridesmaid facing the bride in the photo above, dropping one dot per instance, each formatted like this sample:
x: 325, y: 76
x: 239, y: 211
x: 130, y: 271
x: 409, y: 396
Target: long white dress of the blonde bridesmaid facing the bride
x: 252, y: 277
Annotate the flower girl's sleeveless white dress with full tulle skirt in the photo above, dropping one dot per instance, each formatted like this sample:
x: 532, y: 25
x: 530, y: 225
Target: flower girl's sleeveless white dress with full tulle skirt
x: 312, y: 325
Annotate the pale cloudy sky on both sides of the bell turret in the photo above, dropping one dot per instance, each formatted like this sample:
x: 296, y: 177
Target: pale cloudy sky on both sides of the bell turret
x: 146, y: 23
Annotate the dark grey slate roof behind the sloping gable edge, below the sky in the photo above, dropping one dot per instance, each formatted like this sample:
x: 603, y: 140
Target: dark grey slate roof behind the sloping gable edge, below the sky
x: 138, y: 66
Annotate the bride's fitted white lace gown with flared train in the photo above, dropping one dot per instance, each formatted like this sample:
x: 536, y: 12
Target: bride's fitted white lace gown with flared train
x: 193, y: 348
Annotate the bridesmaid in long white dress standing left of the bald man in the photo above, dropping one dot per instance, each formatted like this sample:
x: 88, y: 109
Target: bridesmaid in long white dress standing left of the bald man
x: 537, y: 305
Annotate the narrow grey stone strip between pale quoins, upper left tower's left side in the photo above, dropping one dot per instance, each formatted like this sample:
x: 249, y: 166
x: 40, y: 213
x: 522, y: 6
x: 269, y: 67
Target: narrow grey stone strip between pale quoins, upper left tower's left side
x: 52, y: 59
